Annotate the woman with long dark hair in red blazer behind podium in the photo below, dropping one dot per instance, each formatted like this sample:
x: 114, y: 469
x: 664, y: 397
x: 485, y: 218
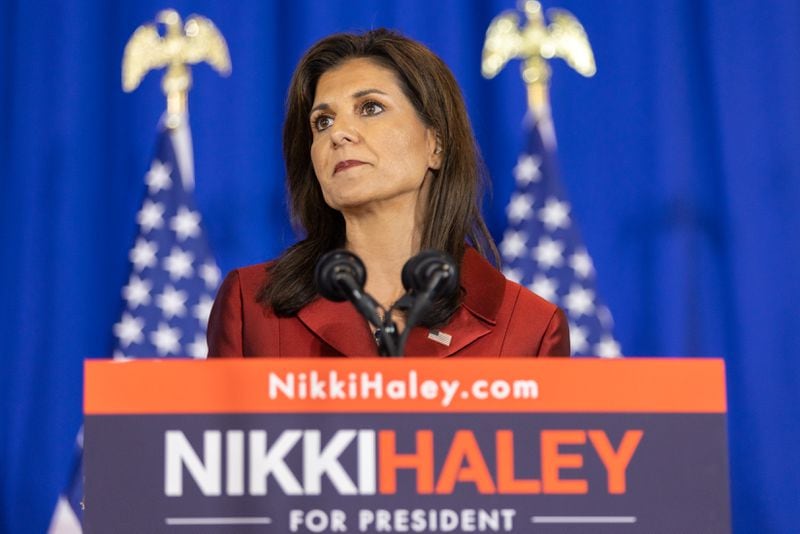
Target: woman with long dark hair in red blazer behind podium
x: 380, y: 160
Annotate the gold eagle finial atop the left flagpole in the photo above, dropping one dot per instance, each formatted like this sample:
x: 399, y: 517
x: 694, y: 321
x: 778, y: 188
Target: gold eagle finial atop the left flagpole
x: 196, y: 41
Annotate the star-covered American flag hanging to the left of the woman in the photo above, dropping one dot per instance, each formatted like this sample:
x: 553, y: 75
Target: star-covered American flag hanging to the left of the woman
x: 171, y: 286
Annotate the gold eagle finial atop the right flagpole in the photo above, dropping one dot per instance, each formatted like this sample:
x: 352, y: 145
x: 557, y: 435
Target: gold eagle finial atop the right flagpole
x: 535, y: 43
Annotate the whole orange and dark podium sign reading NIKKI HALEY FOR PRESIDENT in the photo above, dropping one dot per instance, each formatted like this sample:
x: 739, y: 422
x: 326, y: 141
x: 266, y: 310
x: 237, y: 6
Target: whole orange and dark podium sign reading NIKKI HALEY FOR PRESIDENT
x: 406, y: 445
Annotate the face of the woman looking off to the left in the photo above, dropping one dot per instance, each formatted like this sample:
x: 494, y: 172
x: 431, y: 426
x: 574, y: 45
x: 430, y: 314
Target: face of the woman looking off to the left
x: 369, y: 147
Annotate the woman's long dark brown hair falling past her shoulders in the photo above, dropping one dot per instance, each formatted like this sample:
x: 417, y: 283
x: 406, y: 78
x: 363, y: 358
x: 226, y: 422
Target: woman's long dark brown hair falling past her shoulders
x: 453, y: 213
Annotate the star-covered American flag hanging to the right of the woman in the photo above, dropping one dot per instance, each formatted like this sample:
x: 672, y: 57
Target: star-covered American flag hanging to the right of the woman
x: 543, y: 250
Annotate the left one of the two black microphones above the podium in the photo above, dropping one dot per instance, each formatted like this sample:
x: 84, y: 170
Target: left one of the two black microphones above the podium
x: 340, y: 275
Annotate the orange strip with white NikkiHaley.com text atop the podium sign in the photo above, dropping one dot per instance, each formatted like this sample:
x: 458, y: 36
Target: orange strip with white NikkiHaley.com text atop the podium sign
x: 419, y: 385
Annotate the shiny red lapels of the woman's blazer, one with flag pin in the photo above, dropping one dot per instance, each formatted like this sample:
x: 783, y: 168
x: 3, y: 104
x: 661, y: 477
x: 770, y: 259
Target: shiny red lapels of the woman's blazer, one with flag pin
x: 339, y: 324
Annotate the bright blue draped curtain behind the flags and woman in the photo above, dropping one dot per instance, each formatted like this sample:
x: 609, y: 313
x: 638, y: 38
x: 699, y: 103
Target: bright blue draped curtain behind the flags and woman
x: 681, y: 157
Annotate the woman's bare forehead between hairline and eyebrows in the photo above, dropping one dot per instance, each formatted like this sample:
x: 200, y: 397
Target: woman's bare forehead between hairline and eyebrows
x: 354, y: 75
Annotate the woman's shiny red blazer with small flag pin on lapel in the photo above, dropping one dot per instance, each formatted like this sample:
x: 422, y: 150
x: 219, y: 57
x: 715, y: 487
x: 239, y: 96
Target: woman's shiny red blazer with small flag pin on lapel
x: 496, y: 318
